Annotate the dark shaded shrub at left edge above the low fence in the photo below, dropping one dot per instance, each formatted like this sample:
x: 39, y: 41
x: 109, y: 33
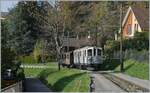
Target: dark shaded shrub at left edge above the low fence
x: 9, y: 62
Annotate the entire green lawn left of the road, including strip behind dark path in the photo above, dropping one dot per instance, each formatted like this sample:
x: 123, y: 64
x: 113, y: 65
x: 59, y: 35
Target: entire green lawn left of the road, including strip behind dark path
x: 65, y: 80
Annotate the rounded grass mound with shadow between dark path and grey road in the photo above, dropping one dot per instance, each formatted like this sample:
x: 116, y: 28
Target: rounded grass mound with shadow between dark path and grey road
x: 66, y: 80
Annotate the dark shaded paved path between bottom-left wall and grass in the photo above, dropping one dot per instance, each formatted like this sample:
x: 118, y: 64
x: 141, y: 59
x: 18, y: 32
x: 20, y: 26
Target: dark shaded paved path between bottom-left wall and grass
x: 35, y: 85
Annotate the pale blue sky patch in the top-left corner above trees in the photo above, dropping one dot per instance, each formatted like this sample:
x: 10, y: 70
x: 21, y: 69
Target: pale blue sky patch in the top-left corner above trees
x: 5, y: 5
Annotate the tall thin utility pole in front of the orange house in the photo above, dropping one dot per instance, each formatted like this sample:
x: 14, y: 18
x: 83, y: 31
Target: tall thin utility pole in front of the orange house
x: 121, y: 56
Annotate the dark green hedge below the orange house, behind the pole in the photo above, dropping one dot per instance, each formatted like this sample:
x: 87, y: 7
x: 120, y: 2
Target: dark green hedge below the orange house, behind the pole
x: 139, y: 42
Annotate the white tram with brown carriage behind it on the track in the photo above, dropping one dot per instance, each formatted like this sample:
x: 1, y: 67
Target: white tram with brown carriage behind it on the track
x: 89, y: 56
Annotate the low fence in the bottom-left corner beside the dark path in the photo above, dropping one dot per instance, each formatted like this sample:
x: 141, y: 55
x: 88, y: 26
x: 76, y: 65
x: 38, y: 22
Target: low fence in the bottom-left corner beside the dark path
x: 17, y: 87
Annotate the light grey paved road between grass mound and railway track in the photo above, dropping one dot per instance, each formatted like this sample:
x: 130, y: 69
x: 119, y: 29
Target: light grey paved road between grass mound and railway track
x: 104, y: 85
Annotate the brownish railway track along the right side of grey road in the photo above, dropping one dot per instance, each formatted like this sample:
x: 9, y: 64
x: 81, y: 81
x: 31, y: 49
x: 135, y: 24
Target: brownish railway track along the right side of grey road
x: 124, y: 84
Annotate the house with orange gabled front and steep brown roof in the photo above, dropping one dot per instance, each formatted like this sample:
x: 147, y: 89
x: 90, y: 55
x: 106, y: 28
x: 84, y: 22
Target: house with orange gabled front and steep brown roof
x: 136, y: 19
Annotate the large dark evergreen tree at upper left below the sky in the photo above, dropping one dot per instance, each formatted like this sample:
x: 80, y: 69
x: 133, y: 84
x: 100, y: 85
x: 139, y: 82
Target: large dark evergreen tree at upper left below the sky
x: 26, y: 25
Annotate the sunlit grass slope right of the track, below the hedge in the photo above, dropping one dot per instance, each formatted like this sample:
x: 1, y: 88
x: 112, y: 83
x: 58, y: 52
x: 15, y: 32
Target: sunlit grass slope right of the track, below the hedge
x: 136, y: 69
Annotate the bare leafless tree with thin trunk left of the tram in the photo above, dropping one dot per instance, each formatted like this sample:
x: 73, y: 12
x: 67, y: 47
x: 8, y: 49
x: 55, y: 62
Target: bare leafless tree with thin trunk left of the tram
x: 53, y: 23
